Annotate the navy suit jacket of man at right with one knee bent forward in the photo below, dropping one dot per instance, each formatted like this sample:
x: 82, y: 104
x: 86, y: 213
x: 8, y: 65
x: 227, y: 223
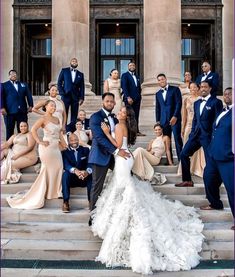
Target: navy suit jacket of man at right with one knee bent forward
x: 202, y: 124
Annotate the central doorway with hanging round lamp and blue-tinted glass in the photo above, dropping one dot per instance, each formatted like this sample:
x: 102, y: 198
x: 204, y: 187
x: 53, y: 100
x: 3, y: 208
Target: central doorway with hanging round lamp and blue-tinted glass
x: 117, y: 46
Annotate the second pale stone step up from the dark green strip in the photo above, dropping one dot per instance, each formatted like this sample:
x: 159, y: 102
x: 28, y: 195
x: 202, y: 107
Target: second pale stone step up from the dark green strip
x: 81, y: 231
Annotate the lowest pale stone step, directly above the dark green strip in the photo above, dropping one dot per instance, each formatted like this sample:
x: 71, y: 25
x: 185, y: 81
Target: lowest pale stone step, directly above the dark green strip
x: 87, y: 250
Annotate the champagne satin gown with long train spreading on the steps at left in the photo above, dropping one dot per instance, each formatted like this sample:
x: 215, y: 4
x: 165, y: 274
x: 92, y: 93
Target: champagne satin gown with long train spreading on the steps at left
x: 48, y: 183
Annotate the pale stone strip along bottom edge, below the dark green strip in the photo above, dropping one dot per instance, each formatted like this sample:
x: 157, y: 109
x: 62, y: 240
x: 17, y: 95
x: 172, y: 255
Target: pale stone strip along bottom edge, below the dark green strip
x: 11, y: 272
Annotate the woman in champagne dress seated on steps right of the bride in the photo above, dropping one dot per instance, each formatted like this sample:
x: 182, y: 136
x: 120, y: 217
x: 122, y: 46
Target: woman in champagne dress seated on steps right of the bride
x: 144, y: 160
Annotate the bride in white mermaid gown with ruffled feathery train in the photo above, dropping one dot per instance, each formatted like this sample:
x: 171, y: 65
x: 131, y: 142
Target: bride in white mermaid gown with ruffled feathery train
x: 139, y: 227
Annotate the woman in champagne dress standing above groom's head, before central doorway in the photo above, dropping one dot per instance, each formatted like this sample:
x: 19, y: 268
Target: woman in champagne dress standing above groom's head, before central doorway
x: 113, y: 85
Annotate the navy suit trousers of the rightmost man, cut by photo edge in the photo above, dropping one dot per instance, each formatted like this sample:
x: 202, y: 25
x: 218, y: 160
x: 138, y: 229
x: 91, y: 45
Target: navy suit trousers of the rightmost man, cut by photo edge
x: 215, y: 173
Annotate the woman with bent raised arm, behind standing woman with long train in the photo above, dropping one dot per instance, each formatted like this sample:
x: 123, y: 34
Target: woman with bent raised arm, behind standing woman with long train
x: 60, y: 109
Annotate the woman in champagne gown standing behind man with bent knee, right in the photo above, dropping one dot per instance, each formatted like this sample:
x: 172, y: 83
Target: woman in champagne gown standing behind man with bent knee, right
x: 198, y: 159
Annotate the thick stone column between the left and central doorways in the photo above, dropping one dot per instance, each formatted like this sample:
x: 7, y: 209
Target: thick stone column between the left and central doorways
x: 70, y: 37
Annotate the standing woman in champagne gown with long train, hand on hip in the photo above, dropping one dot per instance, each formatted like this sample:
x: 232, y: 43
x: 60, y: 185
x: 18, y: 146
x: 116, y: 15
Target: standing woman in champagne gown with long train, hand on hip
x: 48, y: 183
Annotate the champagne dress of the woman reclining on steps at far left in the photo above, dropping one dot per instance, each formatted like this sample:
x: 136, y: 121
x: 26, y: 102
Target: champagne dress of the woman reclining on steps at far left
x: 10, y: 168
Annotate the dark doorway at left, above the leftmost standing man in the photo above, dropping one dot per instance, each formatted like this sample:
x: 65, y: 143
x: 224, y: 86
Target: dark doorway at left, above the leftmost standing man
x: 37, y: 56
